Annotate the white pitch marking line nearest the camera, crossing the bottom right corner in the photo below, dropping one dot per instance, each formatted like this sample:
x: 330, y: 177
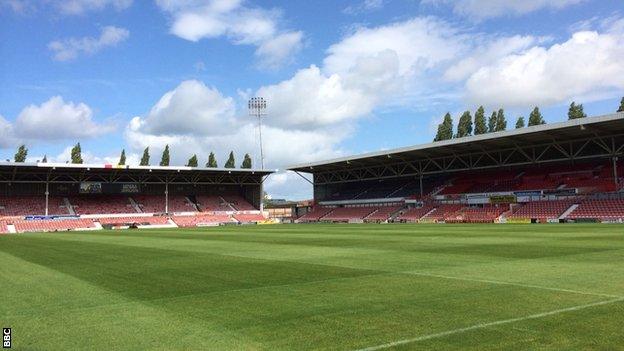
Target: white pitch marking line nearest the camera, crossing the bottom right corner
x: 488, y: 324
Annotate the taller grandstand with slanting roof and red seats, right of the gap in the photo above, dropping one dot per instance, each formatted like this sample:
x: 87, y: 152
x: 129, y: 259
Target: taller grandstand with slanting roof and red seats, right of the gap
x: 568, y: 171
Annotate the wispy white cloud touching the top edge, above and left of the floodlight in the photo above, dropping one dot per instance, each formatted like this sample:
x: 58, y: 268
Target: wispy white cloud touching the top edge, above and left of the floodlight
x: 195, y: 20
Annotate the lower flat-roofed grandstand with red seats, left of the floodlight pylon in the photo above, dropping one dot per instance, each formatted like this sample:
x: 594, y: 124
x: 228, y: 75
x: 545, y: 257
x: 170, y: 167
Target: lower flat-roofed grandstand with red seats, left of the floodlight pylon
x: 37, y: 197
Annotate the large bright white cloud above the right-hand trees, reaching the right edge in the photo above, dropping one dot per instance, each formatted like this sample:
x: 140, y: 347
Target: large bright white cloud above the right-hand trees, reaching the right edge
x: 589, y: 63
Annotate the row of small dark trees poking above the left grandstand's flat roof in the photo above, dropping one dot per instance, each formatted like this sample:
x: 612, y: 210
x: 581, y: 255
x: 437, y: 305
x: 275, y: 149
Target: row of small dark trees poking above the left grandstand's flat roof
x: 76, y: 158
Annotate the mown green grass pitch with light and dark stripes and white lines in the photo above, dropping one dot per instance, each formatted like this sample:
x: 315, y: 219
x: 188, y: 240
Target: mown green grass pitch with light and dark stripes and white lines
x: 317, y: 287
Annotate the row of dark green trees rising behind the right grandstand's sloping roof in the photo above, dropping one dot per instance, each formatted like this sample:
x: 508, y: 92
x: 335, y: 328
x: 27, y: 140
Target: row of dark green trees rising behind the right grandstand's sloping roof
x: 497, y: 121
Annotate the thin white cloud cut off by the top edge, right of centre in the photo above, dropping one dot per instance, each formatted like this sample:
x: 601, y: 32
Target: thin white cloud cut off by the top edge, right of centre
x: 483, y: 9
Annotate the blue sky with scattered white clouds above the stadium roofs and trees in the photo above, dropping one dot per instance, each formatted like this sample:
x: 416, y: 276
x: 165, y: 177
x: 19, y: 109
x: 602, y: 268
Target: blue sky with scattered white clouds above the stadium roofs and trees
x: 341, y: 77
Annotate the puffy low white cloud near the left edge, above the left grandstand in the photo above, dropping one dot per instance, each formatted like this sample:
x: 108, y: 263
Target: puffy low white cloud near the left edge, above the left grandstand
x: 55, y: 120
